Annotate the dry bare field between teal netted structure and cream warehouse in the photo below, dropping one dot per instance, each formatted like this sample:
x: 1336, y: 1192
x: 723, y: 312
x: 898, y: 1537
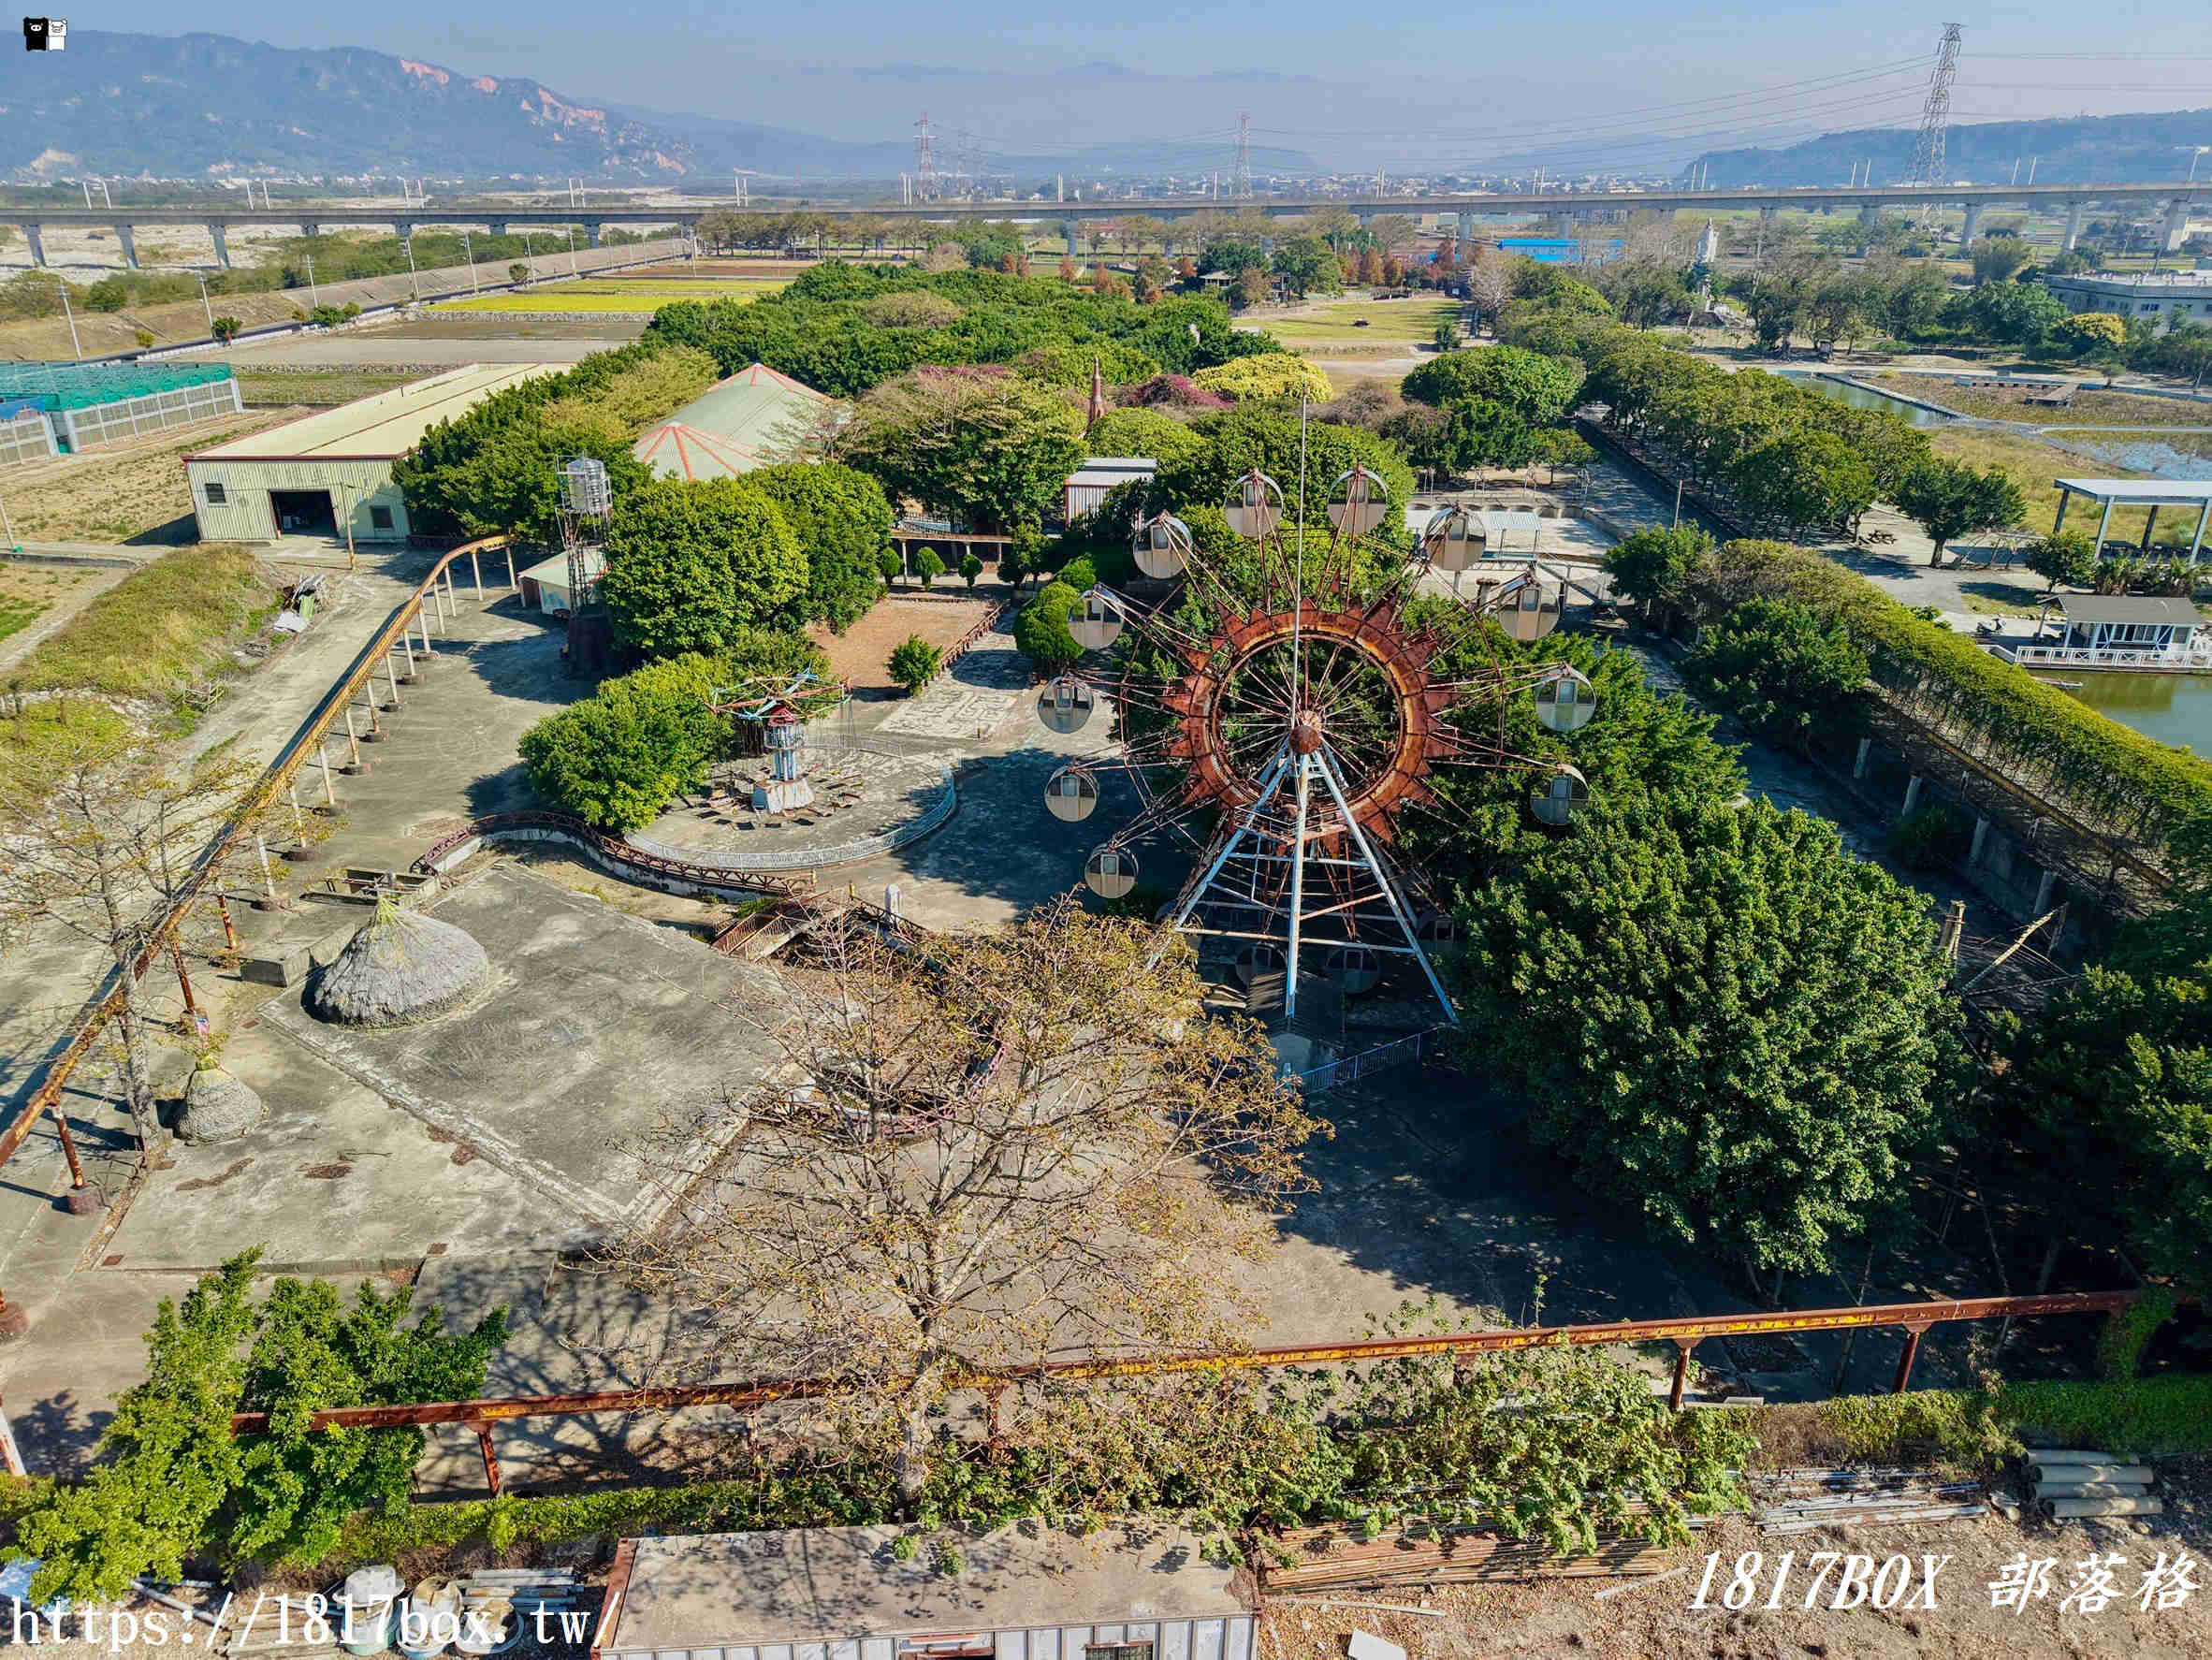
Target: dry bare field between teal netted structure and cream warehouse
x: 132, y: 492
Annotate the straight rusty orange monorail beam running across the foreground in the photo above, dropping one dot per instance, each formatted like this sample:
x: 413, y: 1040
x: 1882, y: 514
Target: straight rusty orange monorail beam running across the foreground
x: 1684, y: 1334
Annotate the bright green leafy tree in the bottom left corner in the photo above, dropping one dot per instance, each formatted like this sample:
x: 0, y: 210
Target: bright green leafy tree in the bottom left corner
x: 174, y: 1480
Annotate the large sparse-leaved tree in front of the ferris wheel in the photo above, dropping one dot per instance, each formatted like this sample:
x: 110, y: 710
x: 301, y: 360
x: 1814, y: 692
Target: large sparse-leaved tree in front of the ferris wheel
x: 977, y: 1159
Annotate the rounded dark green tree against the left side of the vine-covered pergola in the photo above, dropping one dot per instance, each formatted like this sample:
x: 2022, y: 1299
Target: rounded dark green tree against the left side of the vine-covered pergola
x: 1784, y: 672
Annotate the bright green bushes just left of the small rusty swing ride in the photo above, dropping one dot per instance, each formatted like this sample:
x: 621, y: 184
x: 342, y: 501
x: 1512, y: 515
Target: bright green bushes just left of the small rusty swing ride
x: 620, y: 756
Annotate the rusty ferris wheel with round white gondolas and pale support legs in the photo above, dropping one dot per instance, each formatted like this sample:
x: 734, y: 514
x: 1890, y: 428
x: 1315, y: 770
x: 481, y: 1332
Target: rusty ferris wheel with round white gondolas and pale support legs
x: 1295, y: 698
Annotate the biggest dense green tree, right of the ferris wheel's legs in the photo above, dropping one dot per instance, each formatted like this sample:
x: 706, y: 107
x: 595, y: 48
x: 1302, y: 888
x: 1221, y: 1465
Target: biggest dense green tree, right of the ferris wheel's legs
x: 1722, y: 1019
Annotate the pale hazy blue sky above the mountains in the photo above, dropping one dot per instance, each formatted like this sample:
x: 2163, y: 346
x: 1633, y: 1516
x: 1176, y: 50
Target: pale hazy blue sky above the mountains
x: 1494, y: 70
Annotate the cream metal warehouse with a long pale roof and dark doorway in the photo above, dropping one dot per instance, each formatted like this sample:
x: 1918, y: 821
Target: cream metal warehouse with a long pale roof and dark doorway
x: 331, y: 473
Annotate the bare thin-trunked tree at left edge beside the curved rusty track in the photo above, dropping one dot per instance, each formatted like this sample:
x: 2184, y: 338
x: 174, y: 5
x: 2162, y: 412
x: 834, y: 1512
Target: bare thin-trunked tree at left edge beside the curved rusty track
x: 105, y: 844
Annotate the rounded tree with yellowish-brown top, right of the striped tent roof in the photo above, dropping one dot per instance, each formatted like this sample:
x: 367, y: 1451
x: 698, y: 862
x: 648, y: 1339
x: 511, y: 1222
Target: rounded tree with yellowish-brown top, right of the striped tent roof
x: 990, y: 448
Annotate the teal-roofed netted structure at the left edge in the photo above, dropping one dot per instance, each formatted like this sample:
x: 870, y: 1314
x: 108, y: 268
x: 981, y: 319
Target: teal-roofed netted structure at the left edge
x: 70, y: 408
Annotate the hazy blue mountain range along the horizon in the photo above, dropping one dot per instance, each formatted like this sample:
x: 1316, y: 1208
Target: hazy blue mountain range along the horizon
x: 211, y: 107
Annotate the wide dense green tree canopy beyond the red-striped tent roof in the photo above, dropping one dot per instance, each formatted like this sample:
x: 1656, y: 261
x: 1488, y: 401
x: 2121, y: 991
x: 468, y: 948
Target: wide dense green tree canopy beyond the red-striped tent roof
x: 828, y: 329
